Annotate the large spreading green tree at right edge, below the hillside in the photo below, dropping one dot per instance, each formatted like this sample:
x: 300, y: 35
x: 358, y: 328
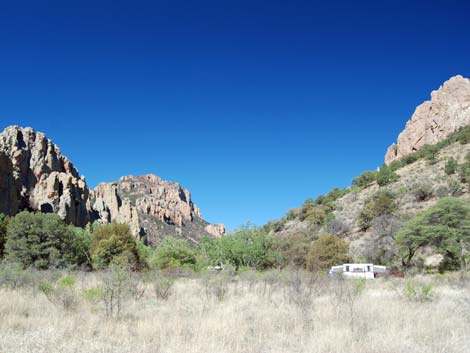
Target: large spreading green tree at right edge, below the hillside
x: 445, y: 226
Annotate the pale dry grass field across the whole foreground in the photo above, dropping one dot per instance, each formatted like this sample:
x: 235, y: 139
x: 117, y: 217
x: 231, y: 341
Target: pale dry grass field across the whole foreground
x: 254, y: 315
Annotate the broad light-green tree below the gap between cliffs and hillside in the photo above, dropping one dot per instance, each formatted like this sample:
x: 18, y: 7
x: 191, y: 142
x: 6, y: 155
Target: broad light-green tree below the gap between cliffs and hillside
x: 247, y: 247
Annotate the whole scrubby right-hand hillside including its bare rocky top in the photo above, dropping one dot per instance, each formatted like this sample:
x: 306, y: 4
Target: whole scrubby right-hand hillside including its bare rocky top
x: 370, y: 212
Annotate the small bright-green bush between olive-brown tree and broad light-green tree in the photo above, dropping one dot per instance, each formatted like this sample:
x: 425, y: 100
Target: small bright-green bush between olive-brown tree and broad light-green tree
x: 174, y: 253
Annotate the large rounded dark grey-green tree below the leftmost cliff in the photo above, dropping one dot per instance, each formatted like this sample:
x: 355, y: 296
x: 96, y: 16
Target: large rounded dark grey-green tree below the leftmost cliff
x: 40, y: 240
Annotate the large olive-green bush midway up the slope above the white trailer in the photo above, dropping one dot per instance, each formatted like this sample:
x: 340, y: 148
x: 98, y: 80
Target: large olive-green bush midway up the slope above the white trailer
x: 382, y: 203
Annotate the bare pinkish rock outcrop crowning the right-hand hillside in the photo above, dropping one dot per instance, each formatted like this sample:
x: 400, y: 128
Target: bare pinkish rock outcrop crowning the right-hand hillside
x: 434, y: 120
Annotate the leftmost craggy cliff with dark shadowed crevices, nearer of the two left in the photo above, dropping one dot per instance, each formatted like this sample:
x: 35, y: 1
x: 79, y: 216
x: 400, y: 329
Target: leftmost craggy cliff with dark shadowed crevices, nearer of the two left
x: 35, y: 175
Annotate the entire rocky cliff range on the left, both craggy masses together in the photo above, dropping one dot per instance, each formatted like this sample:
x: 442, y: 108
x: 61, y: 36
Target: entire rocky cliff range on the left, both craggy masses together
x: 34, y: 175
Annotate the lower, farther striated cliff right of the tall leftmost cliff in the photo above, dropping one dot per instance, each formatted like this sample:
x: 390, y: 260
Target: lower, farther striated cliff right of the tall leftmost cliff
x: 154, y: 208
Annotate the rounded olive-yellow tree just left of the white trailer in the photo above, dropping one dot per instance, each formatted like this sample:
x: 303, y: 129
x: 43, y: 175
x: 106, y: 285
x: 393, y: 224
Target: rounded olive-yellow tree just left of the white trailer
x: 328, y: 250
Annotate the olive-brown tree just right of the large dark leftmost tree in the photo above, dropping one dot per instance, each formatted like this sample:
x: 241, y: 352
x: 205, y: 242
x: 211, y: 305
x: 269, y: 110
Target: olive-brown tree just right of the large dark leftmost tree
x: 114, y: 244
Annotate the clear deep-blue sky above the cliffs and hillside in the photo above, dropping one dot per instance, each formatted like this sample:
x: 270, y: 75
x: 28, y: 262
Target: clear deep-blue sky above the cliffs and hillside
x: 254, y: 106
